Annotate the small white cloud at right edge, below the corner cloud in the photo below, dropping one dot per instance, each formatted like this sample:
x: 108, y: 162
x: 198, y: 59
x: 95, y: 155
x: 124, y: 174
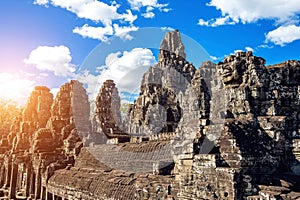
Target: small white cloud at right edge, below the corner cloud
x: 284, y: 35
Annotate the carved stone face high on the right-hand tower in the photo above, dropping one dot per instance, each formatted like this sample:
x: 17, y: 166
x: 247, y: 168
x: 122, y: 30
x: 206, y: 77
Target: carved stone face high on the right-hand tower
x: 231, y: 73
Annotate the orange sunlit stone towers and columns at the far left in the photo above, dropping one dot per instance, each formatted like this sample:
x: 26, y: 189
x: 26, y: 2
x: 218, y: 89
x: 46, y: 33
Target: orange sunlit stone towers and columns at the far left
x: 47, y: 136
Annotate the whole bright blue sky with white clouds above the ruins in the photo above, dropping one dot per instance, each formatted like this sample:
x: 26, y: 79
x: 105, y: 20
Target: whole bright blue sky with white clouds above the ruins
x: 48, y: 42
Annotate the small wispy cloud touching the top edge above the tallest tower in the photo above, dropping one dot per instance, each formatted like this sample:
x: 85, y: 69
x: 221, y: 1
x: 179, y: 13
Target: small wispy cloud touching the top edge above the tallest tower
x: 150, y: 5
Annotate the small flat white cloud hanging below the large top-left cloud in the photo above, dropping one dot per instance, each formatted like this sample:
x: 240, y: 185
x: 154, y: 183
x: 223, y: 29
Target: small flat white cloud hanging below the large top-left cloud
x: 99, y: 33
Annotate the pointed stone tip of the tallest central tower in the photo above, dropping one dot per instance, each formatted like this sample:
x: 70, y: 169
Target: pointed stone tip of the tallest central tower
x: 172, y: 44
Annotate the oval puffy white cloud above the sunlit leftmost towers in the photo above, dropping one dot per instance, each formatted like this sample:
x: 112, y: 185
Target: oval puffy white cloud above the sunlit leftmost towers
x: 56, y: 59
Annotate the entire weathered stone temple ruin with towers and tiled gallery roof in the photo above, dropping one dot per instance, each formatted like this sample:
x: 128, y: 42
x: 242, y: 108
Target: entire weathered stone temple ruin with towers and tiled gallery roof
x: 223, y: 131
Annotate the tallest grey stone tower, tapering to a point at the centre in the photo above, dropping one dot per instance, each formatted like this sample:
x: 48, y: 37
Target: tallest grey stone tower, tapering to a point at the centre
x: 157, y: 109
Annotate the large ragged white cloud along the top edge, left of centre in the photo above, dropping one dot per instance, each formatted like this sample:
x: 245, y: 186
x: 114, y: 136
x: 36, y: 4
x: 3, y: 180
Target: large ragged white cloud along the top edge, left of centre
x: 97, y: 11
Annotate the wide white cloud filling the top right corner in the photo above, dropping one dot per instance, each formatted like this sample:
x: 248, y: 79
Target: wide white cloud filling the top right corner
x: 248, y: 11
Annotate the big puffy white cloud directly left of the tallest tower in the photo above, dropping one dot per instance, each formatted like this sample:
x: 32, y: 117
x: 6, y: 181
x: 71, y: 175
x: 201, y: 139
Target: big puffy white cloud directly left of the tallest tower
x: 125, y: 68
